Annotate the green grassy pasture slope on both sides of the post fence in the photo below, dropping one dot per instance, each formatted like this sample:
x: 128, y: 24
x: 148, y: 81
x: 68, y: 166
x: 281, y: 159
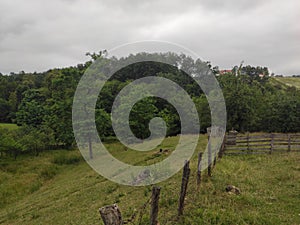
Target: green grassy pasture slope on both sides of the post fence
x: 40, y: 191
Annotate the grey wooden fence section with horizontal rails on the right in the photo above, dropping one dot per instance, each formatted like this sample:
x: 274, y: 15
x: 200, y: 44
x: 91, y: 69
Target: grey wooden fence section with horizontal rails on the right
x: 261, y: 143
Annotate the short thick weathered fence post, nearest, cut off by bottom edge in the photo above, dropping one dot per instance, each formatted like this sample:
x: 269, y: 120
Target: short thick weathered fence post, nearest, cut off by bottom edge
x: 111, y: 215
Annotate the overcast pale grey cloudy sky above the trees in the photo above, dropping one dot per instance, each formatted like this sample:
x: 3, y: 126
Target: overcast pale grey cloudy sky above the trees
x: 36, y: 35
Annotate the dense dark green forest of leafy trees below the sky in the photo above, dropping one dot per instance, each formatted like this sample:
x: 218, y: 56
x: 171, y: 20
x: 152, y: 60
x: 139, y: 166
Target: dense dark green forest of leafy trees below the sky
x: 41, y: 103
